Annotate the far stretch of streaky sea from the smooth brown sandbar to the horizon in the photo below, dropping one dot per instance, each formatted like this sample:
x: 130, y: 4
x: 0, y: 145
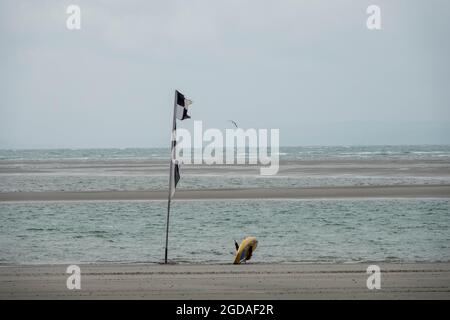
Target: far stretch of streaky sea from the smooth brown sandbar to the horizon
x: 147, y: 169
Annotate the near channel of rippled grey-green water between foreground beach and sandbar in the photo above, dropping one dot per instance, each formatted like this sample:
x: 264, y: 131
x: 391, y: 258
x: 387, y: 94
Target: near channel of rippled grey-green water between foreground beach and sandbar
x: 302, y: 231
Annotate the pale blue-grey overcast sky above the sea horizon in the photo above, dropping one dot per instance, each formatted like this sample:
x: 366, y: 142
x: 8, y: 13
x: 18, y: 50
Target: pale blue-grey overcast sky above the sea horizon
x: 310, y: 68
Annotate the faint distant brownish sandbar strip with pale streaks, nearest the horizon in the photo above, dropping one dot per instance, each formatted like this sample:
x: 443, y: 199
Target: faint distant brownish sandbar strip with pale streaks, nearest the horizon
x: 288, y: 168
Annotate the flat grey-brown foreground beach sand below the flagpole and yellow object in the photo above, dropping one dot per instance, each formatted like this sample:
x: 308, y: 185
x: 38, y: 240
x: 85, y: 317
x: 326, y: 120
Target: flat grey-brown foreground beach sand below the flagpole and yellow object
x: 250, y: 281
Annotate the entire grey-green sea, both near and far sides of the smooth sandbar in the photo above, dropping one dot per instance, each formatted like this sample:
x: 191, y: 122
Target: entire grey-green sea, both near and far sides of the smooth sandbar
x: 203, y: 231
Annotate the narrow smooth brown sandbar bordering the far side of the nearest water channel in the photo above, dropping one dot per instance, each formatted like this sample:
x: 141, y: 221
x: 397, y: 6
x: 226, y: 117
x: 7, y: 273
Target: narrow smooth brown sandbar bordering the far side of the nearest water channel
x: 403, y: 191
